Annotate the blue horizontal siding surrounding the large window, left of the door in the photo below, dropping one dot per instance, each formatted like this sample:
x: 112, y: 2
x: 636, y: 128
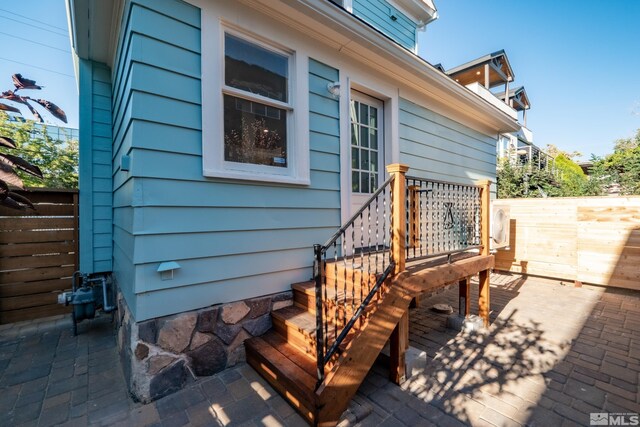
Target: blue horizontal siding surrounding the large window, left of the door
x: 233, y: 239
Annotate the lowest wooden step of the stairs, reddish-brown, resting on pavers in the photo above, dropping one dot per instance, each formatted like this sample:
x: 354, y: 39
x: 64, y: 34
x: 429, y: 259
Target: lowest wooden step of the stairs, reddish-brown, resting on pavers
x: 287, y: 369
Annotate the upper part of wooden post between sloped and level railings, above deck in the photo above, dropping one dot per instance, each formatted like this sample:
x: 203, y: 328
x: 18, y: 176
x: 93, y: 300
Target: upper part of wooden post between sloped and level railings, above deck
x: 399, y: 214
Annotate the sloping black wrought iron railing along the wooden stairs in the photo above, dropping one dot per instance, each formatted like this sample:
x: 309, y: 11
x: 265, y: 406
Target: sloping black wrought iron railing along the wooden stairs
x: 349, y: 269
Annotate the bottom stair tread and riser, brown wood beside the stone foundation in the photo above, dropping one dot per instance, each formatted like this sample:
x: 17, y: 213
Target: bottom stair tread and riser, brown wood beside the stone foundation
x: 285, y: 375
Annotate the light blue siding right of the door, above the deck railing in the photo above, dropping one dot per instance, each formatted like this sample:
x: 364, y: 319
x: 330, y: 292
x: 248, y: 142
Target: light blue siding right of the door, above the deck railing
x: 439, y: 148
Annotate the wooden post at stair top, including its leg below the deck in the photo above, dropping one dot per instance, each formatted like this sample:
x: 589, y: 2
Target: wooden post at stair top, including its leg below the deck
x: 399, y: 338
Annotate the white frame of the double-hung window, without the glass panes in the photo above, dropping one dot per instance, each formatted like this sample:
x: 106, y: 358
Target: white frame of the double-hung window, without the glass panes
x: 214, y: 88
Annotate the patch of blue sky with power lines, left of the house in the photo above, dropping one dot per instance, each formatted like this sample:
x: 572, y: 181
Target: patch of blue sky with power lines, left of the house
x: 35, y: 41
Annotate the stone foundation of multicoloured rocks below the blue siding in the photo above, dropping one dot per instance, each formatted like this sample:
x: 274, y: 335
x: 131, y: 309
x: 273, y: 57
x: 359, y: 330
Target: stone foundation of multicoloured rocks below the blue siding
x: 160, y: 356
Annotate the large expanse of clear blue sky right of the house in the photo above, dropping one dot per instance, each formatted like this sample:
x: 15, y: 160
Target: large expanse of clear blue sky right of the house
x: 578, y: 60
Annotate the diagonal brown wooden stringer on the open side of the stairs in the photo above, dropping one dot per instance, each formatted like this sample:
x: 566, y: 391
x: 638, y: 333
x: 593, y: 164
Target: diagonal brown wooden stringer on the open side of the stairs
x: 340, y: 385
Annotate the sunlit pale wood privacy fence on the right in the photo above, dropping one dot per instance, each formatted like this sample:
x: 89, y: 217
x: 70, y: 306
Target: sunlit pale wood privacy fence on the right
x: 591, y: 240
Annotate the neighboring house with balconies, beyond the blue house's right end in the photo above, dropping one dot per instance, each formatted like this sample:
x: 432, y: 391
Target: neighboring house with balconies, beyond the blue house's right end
x: 482, y: 76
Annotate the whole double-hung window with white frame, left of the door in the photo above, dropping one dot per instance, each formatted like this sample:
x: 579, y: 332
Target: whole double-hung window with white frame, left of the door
x: 255, y: 100
